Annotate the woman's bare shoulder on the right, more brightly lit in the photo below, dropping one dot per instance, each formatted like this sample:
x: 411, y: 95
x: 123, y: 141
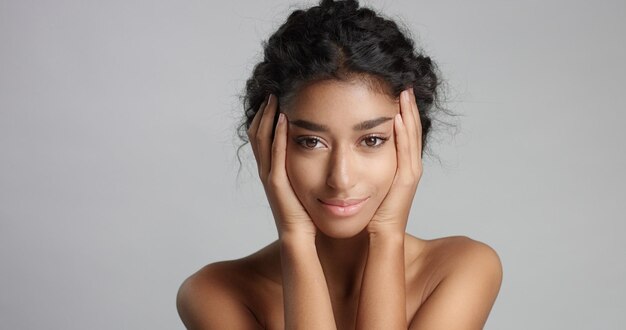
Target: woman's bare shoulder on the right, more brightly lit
x: 467, y: 282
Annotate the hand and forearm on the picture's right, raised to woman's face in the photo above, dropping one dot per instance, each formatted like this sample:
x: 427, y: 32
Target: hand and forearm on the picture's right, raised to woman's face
x: 382, y: 304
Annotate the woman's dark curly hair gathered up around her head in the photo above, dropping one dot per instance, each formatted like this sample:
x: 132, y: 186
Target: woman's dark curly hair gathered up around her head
x: 338, y: 40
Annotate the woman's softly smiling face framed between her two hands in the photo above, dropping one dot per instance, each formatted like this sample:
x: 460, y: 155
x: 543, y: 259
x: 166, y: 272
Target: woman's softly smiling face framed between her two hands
x: 341, y: 155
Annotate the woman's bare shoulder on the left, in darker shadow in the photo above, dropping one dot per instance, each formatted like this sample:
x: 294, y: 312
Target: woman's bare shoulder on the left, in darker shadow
x: 221, y: 295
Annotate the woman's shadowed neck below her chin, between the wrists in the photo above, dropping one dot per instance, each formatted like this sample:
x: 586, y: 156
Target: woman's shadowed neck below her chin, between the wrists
x: 343, y: 262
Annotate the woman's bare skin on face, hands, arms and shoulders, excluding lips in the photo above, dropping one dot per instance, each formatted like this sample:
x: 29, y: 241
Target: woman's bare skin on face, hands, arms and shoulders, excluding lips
x: 343, y: 140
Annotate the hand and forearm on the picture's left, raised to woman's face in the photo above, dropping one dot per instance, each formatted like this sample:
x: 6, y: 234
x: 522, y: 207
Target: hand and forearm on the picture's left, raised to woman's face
x: 305, y: 292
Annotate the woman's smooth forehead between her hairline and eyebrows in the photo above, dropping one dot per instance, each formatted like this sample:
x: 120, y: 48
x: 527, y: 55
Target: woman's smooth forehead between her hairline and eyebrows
x: 340, y: 102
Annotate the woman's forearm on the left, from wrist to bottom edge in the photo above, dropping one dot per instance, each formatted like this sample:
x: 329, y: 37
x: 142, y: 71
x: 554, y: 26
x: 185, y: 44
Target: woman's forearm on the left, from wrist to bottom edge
x: 305, y: 292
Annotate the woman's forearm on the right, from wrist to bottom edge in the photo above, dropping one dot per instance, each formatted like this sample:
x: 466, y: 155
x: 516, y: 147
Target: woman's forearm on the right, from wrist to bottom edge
x: 382, y: 304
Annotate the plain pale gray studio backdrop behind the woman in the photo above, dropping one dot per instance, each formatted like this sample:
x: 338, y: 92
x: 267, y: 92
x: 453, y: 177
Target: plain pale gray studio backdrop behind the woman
x: 118, y: 175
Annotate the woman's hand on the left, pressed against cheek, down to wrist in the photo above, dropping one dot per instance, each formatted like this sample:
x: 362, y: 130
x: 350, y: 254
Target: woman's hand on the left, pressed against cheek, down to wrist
x: 289, y: 214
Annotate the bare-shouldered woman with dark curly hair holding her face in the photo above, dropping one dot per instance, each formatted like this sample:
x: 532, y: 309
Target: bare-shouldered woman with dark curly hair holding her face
x: 337, y: 115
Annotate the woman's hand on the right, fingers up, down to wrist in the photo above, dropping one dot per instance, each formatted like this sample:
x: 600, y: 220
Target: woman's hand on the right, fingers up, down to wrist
x: 393, y: 213
